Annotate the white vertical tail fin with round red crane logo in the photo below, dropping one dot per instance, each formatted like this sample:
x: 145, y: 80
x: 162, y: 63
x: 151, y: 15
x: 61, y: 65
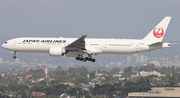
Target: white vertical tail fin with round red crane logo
x: 158, y: 32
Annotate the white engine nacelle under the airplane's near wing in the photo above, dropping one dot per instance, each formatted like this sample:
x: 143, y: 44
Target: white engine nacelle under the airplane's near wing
x: 57, y: 51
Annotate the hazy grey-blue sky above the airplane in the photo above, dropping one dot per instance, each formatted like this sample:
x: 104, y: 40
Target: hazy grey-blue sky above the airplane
x: 96, y: 18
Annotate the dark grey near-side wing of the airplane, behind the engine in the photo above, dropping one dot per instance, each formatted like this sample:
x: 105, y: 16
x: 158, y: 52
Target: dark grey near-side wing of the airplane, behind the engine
x: 77, y: 45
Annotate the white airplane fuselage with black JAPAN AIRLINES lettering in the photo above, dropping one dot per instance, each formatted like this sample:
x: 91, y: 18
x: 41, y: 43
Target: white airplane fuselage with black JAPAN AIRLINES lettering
x: 94, y: 45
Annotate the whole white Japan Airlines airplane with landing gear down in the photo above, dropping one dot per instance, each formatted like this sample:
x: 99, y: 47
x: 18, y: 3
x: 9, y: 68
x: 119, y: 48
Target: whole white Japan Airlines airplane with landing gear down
x: 77, y: 47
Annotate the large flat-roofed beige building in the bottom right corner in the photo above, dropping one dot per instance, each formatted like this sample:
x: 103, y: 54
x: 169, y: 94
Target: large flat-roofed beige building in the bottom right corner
x: 157, y: 92
